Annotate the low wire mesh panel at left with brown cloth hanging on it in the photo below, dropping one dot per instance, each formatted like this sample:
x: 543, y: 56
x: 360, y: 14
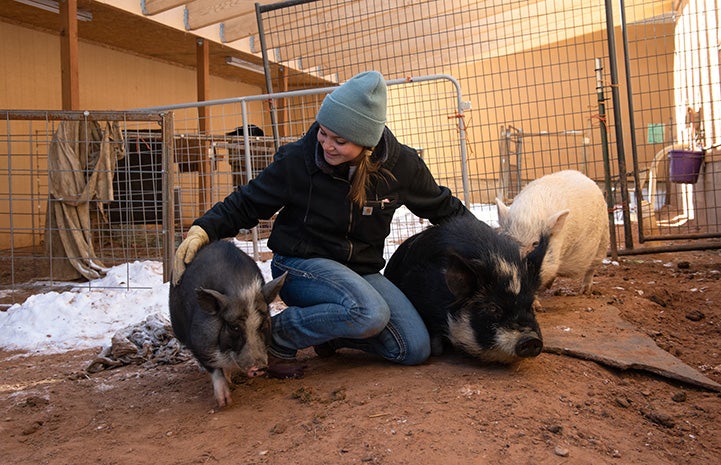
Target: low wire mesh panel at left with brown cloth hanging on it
x: 81, y: 192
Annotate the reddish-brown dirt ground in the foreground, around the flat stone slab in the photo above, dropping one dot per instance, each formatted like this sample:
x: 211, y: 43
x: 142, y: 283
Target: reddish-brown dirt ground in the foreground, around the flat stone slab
x: 353, y: 408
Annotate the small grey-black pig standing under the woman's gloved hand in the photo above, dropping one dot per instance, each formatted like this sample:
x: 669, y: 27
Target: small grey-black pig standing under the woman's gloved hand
x: 219, y: 310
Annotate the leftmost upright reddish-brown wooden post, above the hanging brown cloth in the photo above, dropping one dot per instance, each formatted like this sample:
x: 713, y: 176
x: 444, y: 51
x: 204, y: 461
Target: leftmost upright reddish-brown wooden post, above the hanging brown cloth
x: 69, y: 55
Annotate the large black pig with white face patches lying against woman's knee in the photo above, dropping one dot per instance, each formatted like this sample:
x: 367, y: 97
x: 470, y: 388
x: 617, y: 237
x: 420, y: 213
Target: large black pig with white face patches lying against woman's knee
x: 472, y: 289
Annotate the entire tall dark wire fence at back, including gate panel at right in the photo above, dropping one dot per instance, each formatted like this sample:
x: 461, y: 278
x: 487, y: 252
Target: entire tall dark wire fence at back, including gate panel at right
x: 528, y: 71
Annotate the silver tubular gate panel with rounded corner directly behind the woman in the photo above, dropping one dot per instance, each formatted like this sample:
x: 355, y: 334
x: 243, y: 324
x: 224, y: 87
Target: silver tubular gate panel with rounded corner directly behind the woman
x: 244, y: 133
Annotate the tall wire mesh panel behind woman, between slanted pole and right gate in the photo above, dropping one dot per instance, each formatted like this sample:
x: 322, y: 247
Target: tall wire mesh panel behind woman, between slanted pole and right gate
x: 519, y: 64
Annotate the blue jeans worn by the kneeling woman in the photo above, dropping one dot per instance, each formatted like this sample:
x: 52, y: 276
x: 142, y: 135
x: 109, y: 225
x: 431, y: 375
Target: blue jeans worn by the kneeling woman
x: 328, y: 302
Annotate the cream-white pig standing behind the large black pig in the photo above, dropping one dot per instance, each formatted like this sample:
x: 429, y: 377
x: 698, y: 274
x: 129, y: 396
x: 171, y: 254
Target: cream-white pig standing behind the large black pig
x: 570, y: 209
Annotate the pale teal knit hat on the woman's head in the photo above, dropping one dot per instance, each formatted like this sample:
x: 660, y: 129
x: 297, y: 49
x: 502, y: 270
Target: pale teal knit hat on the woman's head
x: 356, y: 110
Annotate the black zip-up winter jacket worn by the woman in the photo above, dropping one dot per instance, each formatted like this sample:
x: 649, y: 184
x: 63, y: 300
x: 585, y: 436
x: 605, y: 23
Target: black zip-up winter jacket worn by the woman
x: 316, y: 217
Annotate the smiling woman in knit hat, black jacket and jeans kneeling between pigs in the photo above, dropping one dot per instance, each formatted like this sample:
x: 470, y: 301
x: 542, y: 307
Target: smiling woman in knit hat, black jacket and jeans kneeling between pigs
x: 337, y: 189
